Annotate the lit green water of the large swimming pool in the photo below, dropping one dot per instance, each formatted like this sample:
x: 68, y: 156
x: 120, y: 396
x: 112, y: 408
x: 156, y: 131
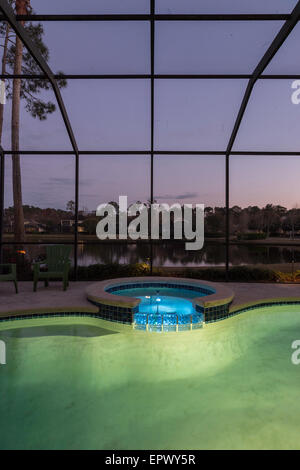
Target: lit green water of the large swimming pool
x: 231, y: 385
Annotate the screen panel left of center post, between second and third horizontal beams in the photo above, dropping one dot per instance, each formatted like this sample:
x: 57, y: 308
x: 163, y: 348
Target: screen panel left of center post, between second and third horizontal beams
x: 109, y: 114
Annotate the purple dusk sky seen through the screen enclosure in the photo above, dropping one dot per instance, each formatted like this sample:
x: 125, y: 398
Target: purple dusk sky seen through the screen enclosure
x: 189, y: 114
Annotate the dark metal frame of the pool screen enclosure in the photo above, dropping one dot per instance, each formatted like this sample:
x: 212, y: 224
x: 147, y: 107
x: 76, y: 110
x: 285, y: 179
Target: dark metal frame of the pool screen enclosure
x: 8, y: 15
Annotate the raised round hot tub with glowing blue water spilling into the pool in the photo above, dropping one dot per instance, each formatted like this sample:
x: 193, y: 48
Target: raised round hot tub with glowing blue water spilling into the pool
x: 160, y: 304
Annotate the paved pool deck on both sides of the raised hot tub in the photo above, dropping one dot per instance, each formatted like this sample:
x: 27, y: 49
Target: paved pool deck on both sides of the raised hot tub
x: 54, y: 298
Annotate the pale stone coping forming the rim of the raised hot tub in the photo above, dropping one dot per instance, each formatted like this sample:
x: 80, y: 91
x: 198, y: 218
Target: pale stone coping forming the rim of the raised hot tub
x: 97, y: 292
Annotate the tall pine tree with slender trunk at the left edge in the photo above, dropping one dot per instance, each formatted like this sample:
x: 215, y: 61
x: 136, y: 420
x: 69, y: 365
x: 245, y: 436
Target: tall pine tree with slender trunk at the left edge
x: 18, y: 60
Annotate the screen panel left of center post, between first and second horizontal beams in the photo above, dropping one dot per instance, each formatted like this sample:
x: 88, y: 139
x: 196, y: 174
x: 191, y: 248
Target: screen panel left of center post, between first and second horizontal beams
x: 113, y: 47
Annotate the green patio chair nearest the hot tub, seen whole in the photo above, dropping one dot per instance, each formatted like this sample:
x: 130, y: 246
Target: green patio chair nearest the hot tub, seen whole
x: 58, y: 265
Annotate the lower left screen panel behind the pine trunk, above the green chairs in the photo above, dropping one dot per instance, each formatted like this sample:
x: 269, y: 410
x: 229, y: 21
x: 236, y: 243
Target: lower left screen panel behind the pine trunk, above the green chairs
x: 48, y: 194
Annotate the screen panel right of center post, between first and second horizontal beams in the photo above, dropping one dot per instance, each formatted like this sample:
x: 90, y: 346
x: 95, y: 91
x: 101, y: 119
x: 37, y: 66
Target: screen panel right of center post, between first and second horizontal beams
x: 212, y: 47
